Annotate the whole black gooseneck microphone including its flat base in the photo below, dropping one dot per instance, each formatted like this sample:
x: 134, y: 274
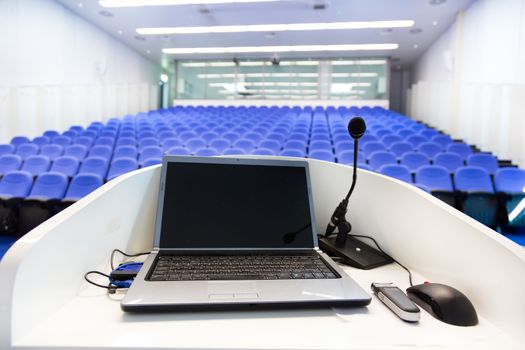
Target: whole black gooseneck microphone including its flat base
x: 348, y: 248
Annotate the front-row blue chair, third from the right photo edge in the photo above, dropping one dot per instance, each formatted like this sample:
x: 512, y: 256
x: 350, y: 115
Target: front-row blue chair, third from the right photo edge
x: 438, y: 181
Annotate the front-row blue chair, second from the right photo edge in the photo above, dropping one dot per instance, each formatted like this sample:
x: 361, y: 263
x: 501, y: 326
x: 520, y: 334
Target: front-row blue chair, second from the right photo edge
x: 478, y: 200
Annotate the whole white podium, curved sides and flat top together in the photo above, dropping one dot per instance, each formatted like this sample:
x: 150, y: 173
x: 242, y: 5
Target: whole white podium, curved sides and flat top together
x: 45, y: 303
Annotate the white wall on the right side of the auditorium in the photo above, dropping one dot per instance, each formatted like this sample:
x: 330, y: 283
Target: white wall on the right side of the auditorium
x: 471, y: 81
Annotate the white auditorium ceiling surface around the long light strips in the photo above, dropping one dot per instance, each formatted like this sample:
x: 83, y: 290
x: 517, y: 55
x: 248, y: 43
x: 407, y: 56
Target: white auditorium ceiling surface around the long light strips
x: 432, y: 19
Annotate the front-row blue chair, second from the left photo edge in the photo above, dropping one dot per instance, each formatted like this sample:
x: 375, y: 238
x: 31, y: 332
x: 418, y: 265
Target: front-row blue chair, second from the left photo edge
x: 41, y: 204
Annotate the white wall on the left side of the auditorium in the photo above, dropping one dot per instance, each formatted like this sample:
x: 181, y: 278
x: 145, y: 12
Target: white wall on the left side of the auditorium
x: 57, y: 70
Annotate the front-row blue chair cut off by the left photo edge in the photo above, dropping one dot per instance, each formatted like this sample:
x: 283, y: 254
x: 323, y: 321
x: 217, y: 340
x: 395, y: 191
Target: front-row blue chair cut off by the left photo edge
x: 14, y: 187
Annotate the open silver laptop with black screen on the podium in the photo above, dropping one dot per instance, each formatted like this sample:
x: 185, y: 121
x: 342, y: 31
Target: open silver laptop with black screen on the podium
x: 237, y: 233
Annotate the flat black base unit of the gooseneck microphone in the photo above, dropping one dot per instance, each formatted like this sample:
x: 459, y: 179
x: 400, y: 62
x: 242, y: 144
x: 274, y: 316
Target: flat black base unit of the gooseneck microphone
x: 354, y: 252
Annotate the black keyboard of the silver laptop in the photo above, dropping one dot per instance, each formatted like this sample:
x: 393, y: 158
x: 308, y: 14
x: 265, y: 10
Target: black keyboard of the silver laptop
x: 240, y: 267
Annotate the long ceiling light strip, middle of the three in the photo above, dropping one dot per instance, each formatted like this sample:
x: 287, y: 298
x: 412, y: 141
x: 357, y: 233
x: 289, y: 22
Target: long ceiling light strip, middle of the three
x: 275, y: 27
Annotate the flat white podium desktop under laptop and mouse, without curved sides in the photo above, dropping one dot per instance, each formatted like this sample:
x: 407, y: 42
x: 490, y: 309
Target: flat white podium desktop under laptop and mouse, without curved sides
x: 94, y: 319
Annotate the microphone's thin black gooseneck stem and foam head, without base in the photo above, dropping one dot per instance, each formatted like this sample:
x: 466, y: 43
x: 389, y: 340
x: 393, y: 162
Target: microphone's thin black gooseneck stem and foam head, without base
x: 356, y: 129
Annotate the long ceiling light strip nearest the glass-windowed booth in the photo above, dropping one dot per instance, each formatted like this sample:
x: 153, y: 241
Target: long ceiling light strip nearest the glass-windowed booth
x: 274, y: 49
